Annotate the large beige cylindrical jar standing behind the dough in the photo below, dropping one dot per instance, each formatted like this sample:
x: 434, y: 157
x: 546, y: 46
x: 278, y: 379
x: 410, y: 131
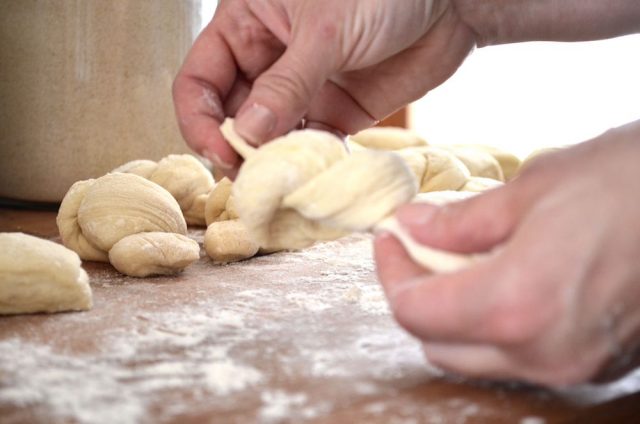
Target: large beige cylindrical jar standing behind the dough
x: 85, y: 85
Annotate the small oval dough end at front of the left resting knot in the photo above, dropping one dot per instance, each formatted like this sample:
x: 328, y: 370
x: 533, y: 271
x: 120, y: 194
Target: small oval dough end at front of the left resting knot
x: 146, y: 254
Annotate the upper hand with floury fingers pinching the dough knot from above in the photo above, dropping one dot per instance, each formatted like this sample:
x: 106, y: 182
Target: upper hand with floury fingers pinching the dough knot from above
x: 339, y: 64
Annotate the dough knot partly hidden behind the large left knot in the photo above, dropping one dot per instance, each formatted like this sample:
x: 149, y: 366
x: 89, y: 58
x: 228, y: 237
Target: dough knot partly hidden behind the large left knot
x: 184, y: 176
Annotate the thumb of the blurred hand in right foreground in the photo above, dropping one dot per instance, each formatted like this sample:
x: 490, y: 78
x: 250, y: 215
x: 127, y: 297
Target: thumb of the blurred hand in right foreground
x: 473, y: 225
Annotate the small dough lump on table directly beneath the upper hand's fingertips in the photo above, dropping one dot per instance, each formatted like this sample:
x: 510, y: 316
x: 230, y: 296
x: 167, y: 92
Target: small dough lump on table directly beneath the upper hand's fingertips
x: 229, y: 241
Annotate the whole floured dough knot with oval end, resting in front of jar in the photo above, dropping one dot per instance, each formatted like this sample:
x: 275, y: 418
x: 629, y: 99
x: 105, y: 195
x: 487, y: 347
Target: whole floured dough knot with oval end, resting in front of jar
x: 95, y: 215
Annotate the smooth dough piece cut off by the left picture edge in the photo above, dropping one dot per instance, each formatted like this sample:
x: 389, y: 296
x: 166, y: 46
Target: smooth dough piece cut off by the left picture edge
x: 38, y: 275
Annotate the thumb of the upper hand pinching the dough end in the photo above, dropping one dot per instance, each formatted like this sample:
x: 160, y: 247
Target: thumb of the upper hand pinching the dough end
x: 281, y: 96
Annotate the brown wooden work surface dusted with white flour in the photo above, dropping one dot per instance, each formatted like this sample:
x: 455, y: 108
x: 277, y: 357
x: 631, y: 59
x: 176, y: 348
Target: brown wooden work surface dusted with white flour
x: 282, y: 338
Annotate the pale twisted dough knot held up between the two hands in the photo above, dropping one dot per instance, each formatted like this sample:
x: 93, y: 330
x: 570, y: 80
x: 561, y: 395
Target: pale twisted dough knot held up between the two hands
x: 304, y: 187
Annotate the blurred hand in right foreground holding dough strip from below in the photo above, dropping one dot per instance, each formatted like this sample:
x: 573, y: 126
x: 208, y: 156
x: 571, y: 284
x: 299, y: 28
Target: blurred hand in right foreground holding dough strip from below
x: 558, y: 302
